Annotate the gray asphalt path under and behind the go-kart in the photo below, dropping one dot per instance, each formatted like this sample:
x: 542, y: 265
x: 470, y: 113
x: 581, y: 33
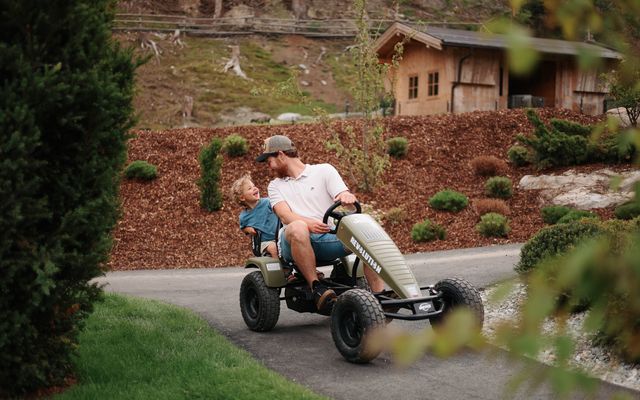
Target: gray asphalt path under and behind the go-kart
x: 301, y: 348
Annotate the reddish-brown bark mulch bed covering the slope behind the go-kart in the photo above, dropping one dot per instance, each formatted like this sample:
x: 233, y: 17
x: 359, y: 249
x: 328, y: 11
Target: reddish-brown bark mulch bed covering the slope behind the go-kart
x: 163, y: 226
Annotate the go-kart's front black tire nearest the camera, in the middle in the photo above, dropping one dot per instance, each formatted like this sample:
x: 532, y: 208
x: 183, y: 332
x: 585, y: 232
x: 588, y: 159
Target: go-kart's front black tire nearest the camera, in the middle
x: 356, y: 315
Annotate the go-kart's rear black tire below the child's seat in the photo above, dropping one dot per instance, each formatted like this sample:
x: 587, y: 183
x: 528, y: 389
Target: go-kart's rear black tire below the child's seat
x: 259, y: 304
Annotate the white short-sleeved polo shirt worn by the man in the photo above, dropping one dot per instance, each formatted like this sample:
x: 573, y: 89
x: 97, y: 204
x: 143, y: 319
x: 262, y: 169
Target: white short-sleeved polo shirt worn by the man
x: 310, y: 194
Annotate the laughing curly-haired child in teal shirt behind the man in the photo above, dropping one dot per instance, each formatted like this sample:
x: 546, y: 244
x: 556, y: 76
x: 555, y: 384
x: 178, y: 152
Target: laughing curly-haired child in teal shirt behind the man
x: 257, y: 214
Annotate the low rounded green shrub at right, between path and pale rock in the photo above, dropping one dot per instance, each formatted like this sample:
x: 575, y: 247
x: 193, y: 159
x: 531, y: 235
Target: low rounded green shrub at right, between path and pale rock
x: 554, y: 240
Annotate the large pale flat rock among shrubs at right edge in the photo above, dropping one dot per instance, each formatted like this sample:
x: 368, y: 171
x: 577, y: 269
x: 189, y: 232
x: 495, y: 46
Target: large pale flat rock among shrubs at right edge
x: 582, y: 191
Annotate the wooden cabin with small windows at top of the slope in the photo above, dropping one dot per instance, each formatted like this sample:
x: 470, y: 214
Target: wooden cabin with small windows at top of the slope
x: 454, y: 71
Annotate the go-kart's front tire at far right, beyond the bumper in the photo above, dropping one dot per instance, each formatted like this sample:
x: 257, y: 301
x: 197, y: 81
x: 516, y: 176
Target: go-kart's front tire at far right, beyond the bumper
x: 456, y: 293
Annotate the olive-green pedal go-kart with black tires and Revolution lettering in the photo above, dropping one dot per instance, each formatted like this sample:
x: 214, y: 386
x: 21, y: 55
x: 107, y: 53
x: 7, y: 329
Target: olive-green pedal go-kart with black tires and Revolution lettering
x: 357, y: 312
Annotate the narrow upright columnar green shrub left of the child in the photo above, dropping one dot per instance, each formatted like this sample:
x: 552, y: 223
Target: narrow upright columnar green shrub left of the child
x: 209, y: 182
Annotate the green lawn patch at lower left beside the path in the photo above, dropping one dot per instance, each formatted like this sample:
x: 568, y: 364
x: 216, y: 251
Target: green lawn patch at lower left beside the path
x: 141, y: 349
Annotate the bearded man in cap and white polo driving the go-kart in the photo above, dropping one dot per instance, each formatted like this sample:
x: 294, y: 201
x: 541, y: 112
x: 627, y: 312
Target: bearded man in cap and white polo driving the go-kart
x: 300, y: 195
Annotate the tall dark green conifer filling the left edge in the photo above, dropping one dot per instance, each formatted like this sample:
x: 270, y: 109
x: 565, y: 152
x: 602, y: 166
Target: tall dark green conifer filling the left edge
x: 65, y: 108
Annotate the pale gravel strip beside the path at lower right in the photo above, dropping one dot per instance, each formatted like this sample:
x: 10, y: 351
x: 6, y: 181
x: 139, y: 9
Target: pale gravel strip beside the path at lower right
x: 597, y: 361
